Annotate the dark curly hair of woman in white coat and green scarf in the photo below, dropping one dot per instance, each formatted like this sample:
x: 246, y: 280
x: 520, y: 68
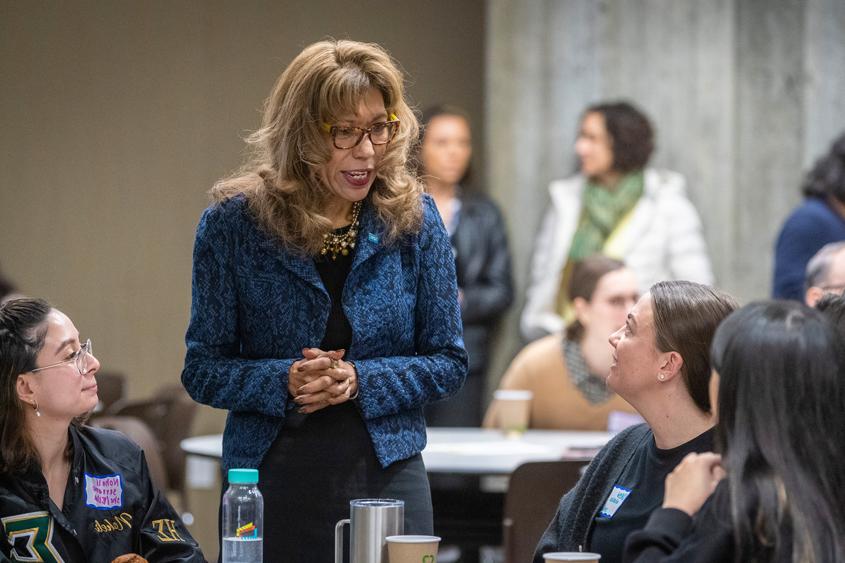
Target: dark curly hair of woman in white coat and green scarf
x: 631, y: 134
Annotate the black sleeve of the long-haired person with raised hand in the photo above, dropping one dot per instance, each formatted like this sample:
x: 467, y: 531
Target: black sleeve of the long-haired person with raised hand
x: 672, y: 536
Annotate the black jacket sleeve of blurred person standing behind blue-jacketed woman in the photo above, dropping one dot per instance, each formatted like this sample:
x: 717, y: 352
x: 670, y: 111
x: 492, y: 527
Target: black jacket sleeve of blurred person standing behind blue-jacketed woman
x: 492, y: 293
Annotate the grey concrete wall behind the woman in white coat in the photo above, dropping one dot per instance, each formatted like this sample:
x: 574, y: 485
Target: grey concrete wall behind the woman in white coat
x: 745, y: 94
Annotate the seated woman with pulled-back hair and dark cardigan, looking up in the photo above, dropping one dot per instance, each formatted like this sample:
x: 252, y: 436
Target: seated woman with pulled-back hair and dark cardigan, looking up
x: 661, y: 366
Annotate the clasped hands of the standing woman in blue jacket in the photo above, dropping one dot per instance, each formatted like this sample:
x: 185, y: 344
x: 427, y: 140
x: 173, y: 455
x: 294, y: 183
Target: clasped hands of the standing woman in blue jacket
x: 320, y: 379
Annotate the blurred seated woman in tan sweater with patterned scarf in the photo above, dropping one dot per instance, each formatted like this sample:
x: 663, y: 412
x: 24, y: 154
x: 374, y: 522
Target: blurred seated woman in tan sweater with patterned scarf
x: 566, y: 372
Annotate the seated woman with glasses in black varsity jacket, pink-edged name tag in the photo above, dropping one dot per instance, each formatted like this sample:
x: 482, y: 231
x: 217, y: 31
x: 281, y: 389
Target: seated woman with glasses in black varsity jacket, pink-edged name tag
x: 69, y: 492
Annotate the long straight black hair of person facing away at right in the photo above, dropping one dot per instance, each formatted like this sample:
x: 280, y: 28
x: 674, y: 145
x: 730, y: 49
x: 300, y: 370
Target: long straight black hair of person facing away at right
x: 781, y: 421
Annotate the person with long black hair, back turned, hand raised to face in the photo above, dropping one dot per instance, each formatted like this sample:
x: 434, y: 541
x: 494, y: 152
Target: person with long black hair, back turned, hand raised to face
x: 778, y: 391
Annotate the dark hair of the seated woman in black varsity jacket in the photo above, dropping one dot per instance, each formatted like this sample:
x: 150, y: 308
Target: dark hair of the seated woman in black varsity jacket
x: 22, y: 332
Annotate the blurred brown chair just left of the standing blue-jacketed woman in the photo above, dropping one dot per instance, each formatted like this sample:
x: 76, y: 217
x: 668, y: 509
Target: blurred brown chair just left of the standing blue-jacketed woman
x: 169, y: 413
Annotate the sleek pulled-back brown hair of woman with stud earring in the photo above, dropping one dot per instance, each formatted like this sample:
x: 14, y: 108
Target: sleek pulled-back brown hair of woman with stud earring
x: 686, y: 315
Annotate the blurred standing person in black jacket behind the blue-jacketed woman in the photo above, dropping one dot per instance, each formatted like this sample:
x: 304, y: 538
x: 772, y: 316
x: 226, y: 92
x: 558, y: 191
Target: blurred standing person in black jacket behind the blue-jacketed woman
x: 482, y: 260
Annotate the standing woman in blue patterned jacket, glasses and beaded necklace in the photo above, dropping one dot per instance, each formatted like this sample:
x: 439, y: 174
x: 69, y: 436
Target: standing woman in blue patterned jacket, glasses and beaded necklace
x: 325, y: 312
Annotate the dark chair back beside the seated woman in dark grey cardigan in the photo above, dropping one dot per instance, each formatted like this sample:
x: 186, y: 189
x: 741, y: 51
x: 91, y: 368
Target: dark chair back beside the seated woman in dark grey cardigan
x: 531, y: 502
